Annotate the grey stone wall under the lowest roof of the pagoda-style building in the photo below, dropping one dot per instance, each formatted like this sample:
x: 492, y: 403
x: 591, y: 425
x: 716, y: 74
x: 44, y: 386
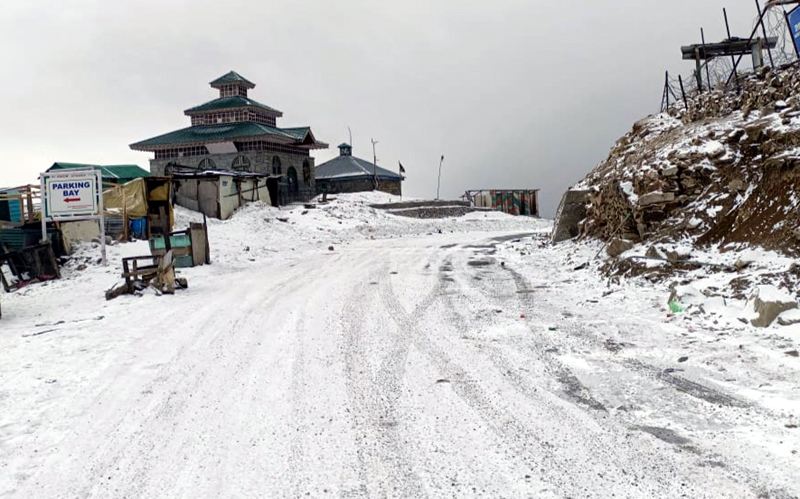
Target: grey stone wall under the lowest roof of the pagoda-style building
x: 260, y: 162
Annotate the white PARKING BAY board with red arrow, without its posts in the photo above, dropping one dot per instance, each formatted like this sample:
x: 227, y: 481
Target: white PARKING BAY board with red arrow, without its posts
x: 72, y: 194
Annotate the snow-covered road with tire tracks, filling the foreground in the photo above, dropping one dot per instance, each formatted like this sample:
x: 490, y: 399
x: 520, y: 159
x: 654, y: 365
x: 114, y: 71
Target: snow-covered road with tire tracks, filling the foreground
x: 409, y: 367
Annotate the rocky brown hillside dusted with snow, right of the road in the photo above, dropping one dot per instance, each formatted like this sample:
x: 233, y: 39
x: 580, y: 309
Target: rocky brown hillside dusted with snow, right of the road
x: 725, y: 172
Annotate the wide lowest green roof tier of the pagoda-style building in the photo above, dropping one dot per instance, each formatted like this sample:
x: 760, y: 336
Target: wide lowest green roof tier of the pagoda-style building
x: 214, y: 133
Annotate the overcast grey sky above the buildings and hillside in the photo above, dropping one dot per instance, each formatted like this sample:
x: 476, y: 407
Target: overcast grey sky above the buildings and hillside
x: 514, y: 93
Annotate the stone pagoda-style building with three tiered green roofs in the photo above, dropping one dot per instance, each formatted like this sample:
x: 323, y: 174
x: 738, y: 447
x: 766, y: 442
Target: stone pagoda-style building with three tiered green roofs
x: 234, y: 132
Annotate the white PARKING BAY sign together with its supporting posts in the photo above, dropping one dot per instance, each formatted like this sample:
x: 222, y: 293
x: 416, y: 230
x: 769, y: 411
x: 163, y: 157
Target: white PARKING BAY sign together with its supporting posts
x: 73, y: 195
